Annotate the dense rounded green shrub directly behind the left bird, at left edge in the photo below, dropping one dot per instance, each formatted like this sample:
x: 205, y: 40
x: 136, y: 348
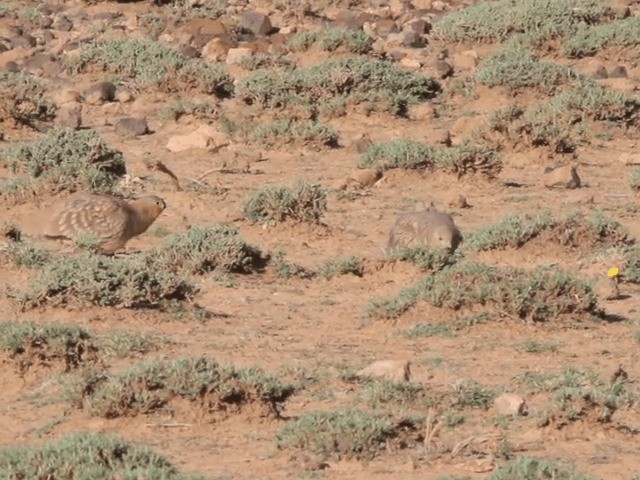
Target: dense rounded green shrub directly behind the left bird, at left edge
x: 66, y: 159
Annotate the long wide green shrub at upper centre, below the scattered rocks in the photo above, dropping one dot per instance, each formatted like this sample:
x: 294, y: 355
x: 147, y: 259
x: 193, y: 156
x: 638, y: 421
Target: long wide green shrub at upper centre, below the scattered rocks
x: 356, y: 79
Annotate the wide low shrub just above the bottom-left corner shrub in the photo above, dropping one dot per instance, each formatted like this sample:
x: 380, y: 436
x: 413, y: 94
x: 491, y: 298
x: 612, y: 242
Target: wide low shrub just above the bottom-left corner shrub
x: 151, y: 384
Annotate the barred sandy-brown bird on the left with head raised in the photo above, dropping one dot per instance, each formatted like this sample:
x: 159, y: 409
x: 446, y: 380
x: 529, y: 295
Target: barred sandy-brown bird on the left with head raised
x: 112, y: 220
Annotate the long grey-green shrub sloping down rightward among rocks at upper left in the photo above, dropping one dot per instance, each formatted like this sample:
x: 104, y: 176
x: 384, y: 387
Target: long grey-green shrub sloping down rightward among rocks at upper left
x: 151, y: 63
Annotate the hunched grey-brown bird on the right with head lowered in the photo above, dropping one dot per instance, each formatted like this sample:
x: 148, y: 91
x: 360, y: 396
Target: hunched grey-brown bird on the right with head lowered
x: 425, y: 227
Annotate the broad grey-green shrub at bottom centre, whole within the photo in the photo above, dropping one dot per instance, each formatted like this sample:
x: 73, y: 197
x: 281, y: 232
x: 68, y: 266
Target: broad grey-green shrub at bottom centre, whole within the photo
x: 347, y: 433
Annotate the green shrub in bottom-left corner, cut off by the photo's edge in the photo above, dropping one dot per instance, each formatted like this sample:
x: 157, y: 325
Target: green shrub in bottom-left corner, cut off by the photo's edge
x: 85, y: 456
